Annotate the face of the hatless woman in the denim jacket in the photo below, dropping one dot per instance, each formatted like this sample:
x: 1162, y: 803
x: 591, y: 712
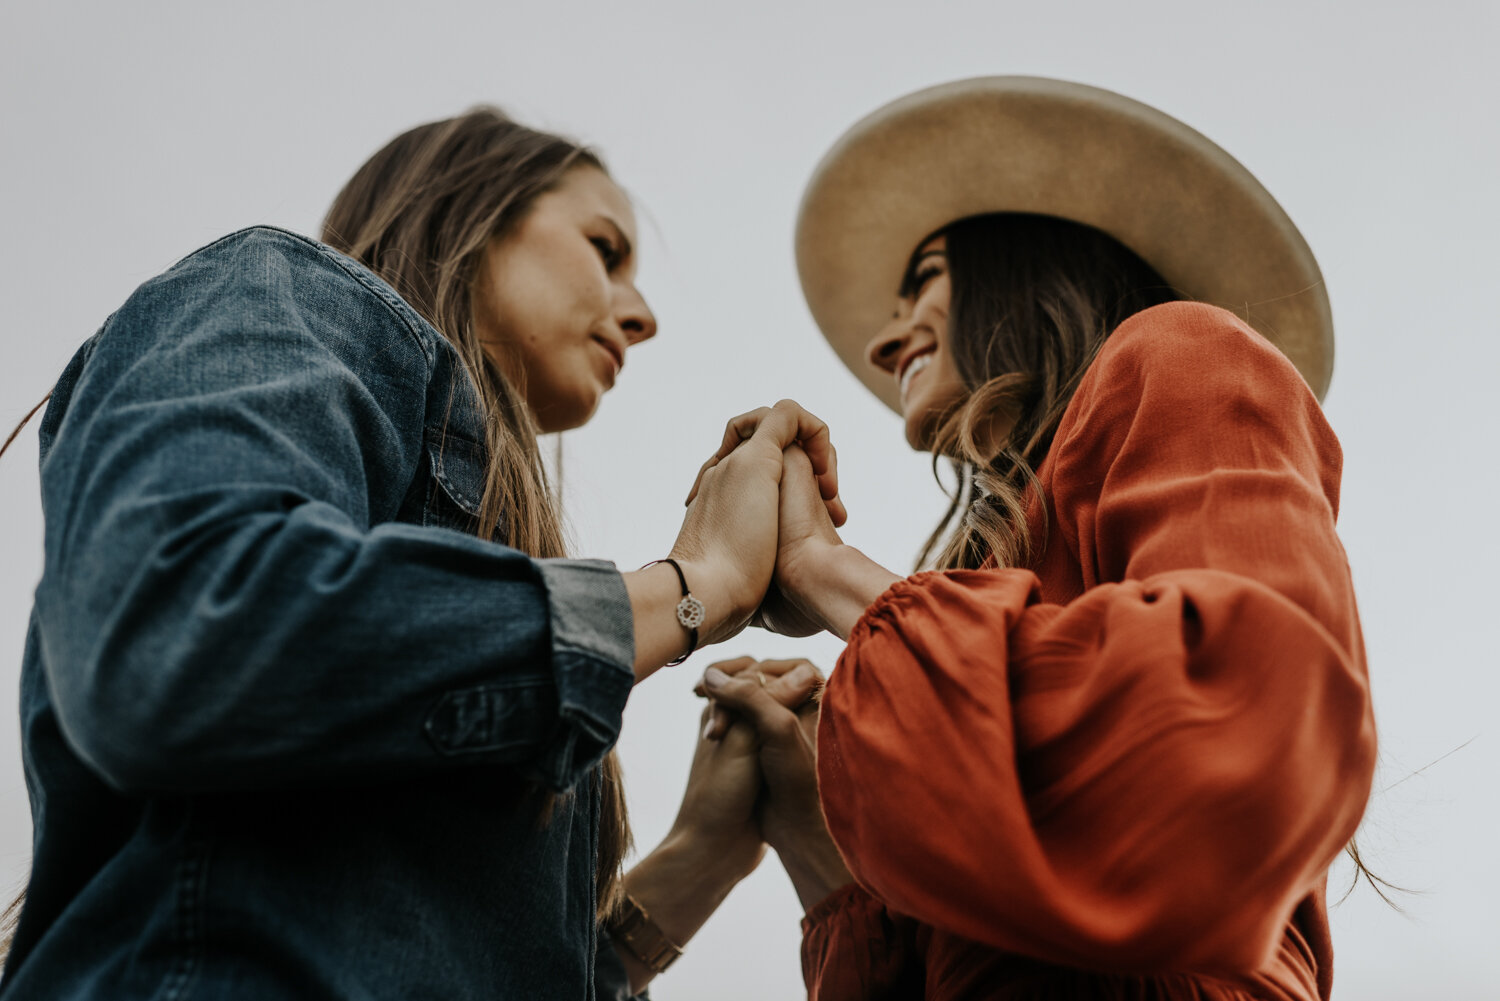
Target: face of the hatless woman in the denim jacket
x: 556, y: 302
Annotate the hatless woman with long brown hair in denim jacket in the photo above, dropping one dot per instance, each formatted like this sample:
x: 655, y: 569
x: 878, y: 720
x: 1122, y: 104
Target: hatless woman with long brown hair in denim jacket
x: 314, y: 706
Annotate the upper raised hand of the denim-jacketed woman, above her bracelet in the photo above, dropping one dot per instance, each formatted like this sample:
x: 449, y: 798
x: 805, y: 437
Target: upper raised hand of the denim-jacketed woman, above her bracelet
x: 728, y: 544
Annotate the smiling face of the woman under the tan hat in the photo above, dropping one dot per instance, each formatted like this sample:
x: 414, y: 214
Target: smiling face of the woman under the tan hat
x: 914, y: 346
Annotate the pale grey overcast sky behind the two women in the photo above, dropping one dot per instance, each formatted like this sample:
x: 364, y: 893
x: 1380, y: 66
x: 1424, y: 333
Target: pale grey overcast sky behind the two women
x: 137, y: 133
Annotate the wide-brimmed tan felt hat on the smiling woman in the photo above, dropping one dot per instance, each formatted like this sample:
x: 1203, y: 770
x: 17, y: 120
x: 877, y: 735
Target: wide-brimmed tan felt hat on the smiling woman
x: 1063, y: 149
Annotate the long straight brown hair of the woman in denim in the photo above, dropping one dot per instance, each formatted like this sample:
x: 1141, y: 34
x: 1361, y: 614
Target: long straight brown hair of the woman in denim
x: 421, y: 214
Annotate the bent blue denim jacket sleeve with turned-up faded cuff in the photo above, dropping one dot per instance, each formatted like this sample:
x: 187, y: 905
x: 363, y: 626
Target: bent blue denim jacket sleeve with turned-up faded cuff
x: 227, y: 598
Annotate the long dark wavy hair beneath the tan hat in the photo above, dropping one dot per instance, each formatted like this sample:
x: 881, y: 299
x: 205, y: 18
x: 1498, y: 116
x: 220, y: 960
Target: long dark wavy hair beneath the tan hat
x: 1034, y: 299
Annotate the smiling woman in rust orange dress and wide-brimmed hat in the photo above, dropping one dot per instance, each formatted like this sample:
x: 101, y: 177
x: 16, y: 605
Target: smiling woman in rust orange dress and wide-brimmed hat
x: 1112, y: 745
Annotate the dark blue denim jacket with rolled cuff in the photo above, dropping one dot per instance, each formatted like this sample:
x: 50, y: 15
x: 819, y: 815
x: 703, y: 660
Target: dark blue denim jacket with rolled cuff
x: 287, y: 724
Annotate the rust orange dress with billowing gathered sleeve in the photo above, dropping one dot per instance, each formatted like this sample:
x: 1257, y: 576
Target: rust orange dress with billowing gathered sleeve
x: 1124, y: 772
